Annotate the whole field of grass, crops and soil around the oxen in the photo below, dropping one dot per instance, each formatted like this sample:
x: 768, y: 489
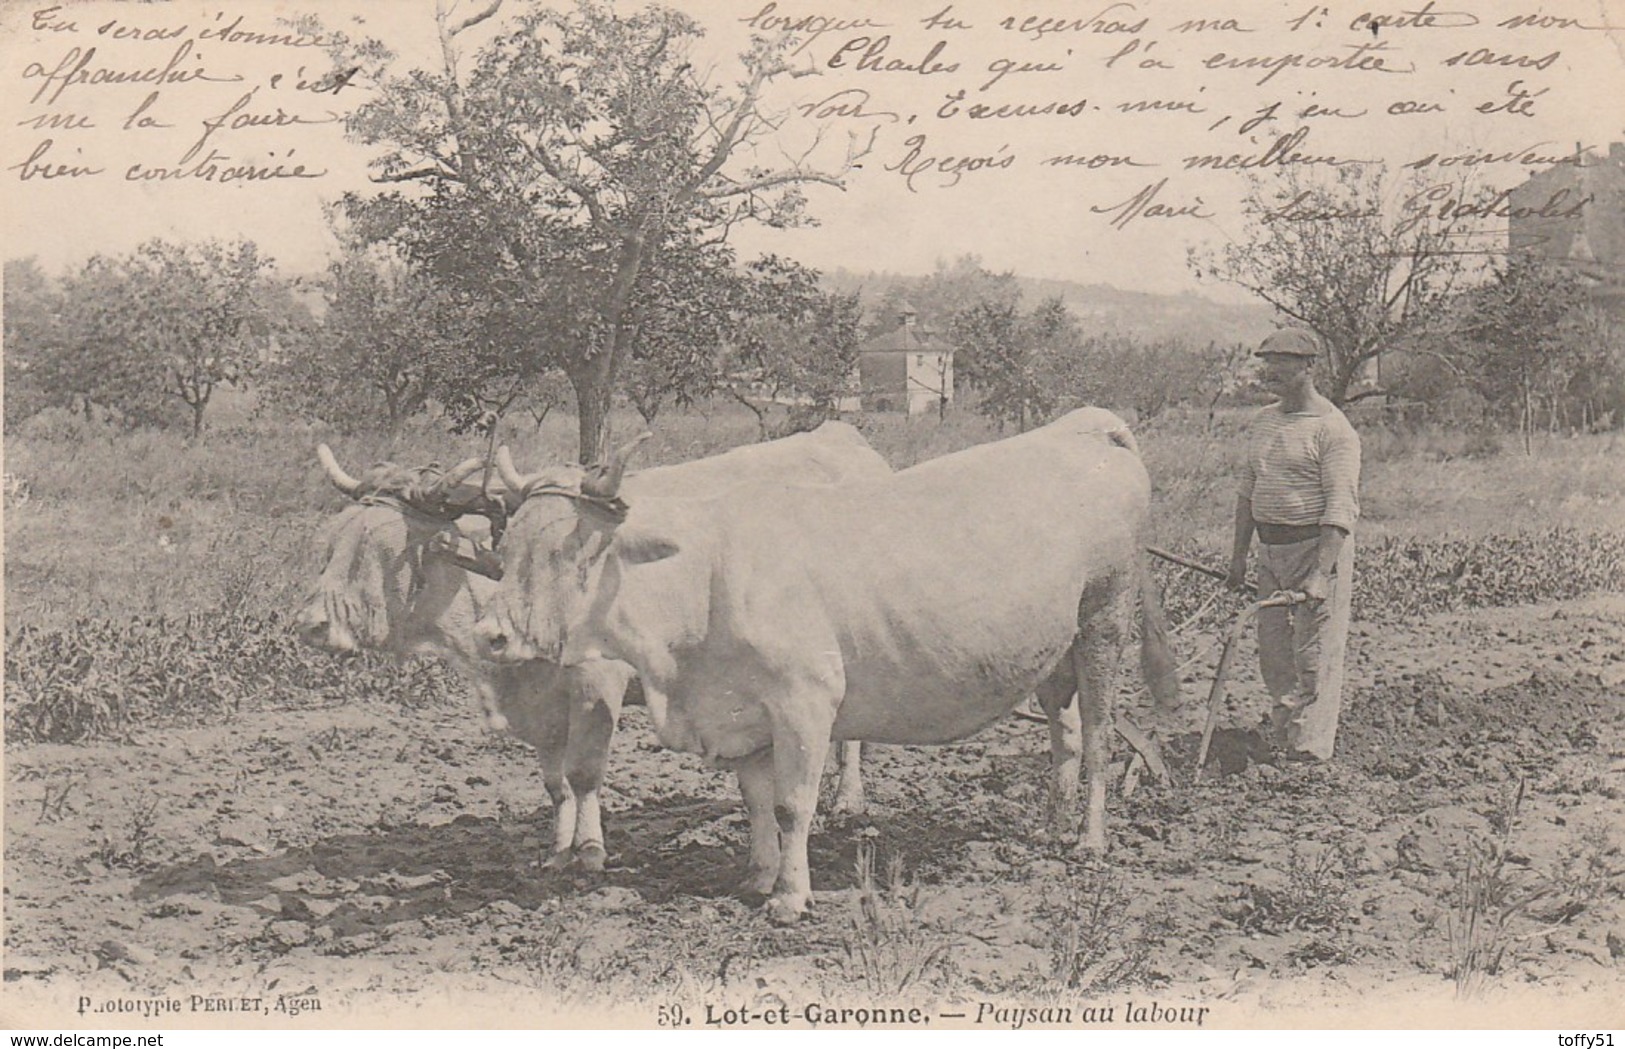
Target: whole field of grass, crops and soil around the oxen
x: 199, y: 811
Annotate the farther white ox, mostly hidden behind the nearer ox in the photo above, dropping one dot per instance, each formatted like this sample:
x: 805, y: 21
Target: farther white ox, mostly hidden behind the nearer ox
x: 394, y: 582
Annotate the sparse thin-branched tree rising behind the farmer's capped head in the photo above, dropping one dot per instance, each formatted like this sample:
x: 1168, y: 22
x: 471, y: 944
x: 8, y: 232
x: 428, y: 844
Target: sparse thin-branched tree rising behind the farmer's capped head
x: 1341, y: 257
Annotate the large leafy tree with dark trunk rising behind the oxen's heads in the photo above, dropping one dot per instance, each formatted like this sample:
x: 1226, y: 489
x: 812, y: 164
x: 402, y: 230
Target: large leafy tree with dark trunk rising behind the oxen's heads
x: 565, y: 176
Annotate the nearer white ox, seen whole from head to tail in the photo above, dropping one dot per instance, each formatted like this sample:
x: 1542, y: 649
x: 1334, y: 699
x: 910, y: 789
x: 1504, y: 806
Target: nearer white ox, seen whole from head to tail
x: 911, y: 610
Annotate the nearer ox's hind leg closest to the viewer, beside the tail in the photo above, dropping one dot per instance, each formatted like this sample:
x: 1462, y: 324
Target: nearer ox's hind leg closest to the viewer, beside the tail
x: 1096, y: 657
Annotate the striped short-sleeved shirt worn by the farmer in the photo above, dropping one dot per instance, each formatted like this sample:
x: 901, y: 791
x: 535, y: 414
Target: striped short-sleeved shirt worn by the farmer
x: 1302, y: 468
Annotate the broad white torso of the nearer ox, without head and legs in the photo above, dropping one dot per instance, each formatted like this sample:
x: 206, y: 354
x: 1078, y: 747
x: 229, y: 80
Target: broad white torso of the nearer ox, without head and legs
x: 932, y: 600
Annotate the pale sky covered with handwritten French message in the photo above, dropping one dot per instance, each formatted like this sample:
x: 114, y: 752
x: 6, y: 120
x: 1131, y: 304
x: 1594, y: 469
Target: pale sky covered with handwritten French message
x: 1085, y: 142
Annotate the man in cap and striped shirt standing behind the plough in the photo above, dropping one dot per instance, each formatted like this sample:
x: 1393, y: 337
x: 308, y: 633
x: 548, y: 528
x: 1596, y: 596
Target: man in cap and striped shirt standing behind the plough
x: 1301, y: 494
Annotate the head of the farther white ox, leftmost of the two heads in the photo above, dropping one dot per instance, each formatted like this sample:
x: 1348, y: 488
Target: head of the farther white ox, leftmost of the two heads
x: 378, y: 551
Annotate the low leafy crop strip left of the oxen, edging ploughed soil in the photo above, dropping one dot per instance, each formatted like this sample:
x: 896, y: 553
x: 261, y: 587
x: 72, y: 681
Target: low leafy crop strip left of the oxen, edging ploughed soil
x: 98, y: 680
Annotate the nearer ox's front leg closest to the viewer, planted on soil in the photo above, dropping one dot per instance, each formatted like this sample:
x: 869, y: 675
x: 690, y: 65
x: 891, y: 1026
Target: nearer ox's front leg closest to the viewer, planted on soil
x: 800, y: 746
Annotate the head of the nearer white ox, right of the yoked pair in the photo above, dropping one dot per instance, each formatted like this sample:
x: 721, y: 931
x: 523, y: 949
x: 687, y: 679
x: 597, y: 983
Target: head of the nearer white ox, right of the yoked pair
x: 553, y: 556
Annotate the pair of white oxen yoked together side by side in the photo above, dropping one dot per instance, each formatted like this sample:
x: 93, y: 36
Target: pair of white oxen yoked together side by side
x: 769, y: 600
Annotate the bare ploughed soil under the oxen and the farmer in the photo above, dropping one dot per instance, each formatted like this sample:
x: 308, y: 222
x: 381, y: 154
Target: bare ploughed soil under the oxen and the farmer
x: 1458, y: 865
